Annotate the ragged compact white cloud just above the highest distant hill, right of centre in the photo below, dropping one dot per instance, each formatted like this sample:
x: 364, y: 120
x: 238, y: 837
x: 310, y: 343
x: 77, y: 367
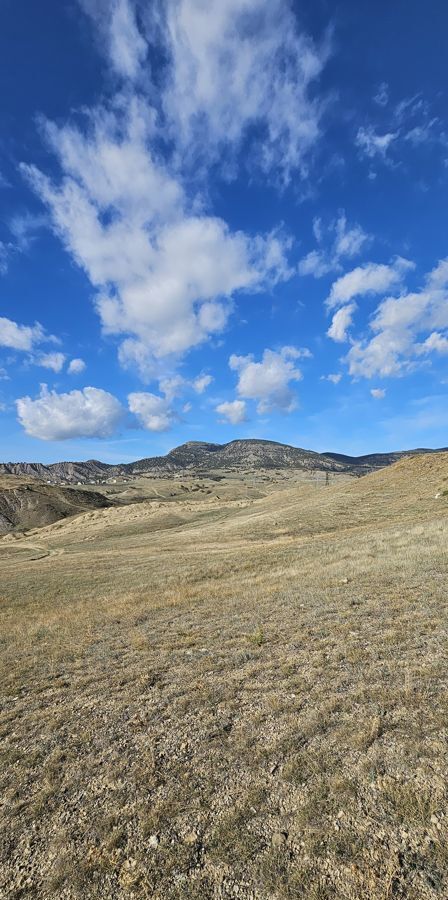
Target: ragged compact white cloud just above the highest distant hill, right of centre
x: 268, y: 381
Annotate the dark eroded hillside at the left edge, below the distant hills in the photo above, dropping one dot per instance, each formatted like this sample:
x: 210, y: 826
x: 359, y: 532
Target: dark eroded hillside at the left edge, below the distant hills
x: 29, y: 503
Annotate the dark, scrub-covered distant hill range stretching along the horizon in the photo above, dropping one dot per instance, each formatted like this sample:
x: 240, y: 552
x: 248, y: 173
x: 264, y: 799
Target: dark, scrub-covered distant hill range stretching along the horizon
x: 201, y: 457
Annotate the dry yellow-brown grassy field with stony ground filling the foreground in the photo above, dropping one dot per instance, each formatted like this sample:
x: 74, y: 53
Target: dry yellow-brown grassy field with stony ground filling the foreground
x: 231, y: 689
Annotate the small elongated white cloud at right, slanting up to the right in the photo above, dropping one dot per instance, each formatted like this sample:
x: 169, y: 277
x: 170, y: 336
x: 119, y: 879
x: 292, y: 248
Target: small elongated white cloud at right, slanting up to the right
x: 371, y: 278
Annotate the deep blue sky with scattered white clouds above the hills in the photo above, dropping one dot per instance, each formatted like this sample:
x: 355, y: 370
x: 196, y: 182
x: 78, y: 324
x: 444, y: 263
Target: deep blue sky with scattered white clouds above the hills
x: 222, y: 220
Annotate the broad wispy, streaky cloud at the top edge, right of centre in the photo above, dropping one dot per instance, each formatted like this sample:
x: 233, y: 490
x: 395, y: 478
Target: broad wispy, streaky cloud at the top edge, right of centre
x: 240, y: 70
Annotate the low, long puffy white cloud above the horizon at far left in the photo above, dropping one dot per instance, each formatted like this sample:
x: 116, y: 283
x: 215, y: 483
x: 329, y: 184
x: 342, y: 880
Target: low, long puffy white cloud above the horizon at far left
x: 58, y: 417
